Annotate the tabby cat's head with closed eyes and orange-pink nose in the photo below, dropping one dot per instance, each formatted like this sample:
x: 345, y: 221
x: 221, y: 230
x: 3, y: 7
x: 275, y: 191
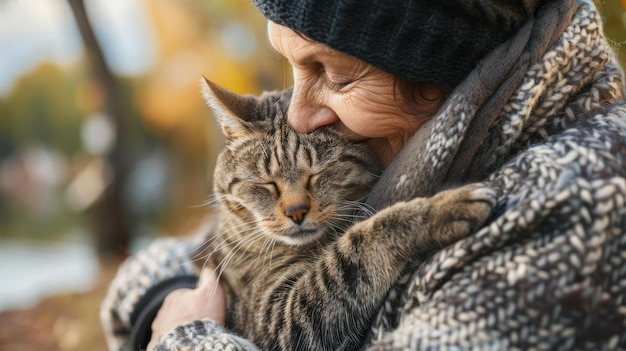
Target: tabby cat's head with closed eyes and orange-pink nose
x: 293, y: 187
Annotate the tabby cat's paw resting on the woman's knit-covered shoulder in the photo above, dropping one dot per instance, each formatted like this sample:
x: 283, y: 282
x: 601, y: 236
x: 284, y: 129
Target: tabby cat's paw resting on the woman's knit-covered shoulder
x: 457, y: 213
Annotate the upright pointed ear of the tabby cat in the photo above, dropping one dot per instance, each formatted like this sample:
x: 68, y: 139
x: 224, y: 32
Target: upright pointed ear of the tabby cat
x: 232, y: 111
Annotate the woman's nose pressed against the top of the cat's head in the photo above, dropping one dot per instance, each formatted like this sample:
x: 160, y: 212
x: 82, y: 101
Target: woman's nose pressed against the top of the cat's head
x: 305, y: 115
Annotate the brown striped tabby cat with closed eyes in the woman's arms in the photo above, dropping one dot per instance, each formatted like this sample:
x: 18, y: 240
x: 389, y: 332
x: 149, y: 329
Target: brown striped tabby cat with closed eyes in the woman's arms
x: 294, y: 279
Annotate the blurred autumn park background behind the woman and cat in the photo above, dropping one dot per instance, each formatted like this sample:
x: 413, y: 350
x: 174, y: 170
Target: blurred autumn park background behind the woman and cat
x: 105, y: 142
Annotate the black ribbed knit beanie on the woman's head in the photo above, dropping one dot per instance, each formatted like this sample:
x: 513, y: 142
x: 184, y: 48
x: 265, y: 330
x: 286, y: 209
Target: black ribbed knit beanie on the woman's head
x: 433, y: 41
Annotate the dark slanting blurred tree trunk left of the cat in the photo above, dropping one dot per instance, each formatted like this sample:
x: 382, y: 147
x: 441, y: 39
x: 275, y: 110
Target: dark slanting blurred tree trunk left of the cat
x: 109, y: 217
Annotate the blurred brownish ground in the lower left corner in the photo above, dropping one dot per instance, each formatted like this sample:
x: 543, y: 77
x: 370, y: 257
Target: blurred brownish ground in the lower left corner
x: 63, y: 322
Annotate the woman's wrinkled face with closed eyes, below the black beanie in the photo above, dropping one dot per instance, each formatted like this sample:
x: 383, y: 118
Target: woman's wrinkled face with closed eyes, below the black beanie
x: 332, y: 88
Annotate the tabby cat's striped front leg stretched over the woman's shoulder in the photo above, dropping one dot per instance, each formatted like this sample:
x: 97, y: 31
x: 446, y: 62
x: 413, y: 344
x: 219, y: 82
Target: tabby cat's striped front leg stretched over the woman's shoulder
x: 331, y: 305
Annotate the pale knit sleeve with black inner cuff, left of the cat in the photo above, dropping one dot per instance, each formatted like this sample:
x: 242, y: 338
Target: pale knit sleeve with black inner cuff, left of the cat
x: 142, y: 281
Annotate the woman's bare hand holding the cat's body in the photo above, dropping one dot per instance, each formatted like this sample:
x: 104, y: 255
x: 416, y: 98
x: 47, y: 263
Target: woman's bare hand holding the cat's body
x: 187, y: 305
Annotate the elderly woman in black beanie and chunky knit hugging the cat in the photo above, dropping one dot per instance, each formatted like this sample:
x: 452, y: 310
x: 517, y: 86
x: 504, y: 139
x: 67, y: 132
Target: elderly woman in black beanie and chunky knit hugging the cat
x: 525, y: 95
